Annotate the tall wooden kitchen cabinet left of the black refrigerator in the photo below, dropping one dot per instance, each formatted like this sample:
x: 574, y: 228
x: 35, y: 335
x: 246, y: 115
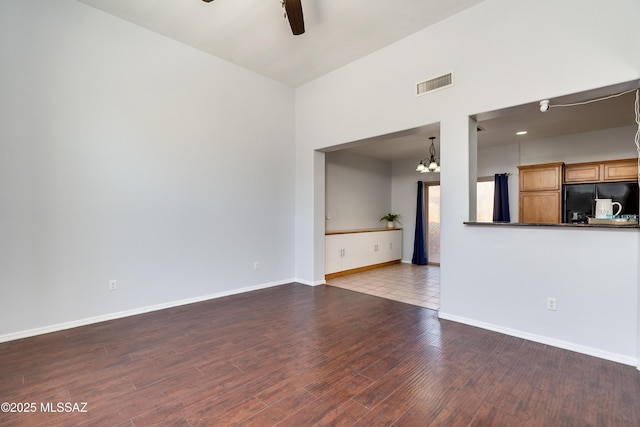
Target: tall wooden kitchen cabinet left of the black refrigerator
x: 540, y: 199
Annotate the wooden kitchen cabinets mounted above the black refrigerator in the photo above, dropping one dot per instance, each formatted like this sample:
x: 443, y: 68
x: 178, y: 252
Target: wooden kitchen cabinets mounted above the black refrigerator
x: 606, y: 171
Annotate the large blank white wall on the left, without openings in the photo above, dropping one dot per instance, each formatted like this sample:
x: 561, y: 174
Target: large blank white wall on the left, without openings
x: 125, y: 155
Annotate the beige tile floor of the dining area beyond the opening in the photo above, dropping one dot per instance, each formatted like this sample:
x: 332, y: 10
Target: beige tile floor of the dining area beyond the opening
x: 408, y: 283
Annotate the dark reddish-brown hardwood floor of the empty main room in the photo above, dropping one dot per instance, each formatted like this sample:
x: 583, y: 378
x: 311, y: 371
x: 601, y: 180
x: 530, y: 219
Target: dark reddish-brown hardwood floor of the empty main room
x: 300, y: 356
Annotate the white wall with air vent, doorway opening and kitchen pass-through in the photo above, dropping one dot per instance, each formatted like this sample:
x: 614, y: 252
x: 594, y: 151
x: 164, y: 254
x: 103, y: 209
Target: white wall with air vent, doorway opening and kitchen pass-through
x: 494, y: 277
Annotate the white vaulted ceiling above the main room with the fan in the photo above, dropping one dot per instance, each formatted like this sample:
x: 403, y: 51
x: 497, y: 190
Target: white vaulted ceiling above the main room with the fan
x: 256, y: 35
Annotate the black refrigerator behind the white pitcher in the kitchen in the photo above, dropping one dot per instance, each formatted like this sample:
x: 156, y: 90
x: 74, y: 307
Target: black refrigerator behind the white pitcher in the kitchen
x: 579, y: 199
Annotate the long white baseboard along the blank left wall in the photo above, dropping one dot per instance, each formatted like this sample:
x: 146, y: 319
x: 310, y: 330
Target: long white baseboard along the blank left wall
x: 135, y: 311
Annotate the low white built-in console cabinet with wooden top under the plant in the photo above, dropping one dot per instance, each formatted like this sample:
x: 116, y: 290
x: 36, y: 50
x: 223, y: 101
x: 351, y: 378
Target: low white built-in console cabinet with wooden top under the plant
x: 357, y: 250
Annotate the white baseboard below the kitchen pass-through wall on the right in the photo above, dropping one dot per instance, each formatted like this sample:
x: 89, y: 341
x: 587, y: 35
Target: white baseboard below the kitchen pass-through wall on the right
x: 614, y: 357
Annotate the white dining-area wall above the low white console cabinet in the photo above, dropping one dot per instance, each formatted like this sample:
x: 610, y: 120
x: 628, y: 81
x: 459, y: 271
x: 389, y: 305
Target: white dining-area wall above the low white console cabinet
x: 358, y: 191
